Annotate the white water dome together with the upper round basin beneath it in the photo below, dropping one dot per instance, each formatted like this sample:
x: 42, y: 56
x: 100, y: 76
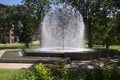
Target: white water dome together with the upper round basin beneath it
x: 61, y: 34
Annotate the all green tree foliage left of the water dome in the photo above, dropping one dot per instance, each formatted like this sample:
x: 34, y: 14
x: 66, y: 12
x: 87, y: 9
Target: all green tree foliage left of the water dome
x: 25, y: 18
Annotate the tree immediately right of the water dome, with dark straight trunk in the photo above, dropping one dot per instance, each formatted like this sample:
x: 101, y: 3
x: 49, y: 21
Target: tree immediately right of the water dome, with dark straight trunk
x: 91, y: 12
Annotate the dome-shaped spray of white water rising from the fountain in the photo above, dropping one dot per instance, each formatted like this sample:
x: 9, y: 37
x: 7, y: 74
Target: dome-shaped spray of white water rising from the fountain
x: 62, y: 28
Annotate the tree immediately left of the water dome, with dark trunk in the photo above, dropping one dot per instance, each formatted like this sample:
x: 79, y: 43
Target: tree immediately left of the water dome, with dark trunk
x: 35, y: 11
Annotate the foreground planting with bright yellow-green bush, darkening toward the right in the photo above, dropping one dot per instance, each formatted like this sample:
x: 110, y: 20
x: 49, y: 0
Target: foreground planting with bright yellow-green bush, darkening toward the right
x: 57, y: 71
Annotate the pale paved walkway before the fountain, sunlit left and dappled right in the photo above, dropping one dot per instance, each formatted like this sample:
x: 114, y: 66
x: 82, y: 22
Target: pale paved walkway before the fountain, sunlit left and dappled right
x: 87, y: 64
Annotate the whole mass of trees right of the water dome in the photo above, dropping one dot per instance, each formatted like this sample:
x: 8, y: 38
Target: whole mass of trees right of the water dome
x: 100, y: 26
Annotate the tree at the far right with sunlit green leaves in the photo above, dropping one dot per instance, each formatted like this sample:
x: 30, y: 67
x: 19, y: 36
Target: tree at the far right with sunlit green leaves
x: 108, y: 24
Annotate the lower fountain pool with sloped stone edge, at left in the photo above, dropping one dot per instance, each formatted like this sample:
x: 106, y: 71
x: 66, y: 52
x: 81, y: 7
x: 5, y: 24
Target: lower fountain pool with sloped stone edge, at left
x: 17, y: 56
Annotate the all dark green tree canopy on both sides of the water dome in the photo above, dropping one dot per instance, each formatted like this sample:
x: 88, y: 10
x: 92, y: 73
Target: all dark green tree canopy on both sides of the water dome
x: 101, y: 18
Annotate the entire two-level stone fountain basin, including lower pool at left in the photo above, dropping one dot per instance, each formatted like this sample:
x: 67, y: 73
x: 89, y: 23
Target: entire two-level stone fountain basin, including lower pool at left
x: 33, y: 56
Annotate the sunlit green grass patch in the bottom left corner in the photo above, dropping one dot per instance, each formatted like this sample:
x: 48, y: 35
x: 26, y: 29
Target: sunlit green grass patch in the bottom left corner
x: 9, y: 74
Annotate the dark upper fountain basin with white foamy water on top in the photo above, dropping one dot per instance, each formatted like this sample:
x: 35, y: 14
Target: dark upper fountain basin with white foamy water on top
x: 72, y: 54
